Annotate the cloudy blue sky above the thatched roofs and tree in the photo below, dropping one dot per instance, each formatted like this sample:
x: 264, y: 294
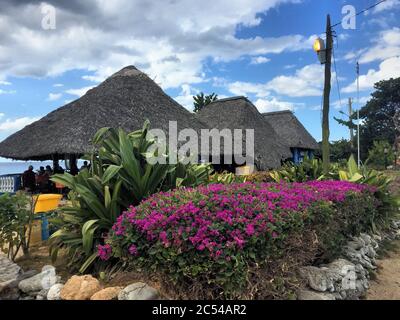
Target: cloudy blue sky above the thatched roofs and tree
x: 260, y: 49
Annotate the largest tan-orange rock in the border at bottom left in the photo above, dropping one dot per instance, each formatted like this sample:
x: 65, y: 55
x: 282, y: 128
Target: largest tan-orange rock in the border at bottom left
x: 80, y: 288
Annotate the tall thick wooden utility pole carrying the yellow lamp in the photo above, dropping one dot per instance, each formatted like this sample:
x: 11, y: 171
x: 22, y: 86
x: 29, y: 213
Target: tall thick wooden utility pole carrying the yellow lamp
x: 327, y: 91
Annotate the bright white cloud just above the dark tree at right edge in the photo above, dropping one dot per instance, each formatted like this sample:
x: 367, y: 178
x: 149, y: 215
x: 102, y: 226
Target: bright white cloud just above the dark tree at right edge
x: 389, y: 68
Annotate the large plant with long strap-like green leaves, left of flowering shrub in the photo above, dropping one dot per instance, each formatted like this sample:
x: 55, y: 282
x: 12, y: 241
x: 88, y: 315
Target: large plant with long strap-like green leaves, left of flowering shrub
x: 119, y: 176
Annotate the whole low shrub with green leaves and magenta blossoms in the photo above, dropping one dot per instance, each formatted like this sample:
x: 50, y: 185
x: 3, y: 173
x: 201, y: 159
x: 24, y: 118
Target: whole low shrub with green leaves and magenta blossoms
x: 214, y: 233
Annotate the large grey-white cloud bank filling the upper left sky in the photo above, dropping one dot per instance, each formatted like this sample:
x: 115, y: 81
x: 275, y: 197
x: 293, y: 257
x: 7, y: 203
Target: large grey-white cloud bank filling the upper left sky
x: 169, y: 40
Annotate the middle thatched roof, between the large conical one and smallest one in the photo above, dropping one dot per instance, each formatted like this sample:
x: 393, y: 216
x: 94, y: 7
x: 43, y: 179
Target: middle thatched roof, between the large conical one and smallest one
x: 240, y: 113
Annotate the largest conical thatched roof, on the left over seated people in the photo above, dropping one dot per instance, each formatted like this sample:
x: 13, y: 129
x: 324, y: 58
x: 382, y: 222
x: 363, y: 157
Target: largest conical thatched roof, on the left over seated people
x: 126, y: 100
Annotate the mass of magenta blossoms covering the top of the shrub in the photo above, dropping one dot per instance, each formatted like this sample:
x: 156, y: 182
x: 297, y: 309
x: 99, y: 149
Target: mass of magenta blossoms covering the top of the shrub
x: 219, y: 219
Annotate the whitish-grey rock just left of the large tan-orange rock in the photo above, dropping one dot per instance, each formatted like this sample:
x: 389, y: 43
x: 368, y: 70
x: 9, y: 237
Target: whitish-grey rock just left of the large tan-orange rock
x: 43, y: 280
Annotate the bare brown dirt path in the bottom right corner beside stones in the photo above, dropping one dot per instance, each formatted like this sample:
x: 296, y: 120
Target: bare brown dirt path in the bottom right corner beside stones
x: 386, y: 286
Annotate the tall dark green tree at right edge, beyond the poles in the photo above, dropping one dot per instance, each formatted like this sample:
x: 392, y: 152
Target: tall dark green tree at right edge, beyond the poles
x: 377, y: 115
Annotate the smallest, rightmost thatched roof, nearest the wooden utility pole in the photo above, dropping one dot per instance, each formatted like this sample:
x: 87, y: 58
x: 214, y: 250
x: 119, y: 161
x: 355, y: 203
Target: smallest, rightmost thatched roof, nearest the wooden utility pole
x: 291, y: 130
